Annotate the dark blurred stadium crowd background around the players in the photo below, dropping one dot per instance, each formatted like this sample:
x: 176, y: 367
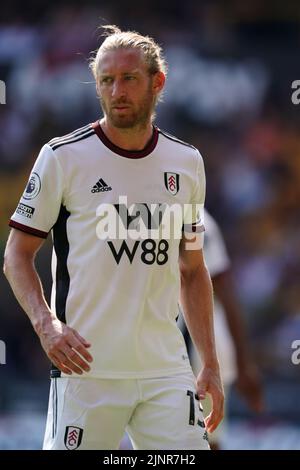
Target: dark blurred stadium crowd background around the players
x: 231, y: 66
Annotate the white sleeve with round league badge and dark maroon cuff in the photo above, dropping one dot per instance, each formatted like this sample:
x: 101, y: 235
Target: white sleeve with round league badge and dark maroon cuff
x: 40, y: 203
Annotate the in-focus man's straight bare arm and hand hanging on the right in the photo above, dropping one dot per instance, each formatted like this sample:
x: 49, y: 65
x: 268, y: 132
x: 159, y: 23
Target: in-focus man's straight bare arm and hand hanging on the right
x: 197, y: 303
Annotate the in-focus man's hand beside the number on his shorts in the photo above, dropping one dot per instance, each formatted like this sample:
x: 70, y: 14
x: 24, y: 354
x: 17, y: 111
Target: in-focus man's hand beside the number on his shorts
x: 209, y: 381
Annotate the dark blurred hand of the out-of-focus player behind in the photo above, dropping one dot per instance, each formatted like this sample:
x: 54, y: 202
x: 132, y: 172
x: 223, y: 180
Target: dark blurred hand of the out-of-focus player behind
x: 249, y: 386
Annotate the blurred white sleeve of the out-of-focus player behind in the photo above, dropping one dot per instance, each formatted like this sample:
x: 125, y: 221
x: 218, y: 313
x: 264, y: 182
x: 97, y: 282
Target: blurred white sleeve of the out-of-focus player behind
x: 215, y: 252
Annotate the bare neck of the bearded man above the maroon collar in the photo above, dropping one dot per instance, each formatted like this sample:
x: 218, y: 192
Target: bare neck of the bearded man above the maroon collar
x: 128, y: 139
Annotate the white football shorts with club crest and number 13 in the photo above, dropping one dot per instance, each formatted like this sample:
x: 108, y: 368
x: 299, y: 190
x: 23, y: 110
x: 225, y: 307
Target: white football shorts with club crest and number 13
x: 161, y: 413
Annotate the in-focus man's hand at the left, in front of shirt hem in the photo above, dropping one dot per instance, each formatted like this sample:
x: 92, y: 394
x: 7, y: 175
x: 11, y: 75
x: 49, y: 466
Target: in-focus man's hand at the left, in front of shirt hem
x: 64, y: 346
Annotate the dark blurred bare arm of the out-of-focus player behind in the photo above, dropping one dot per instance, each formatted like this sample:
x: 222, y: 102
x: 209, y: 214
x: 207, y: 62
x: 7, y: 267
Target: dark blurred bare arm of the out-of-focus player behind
x: 248, y: 381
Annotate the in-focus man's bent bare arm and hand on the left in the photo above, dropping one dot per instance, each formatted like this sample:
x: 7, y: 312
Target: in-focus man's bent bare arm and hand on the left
x: 60, y: 342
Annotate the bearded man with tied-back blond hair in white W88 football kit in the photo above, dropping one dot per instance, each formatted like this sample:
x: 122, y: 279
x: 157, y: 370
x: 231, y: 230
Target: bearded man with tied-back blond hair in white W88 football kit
x: 119, y: 360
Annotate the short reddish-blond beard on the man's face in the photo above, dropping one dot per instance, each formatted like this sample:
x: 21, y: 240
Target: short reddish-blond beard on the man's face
x: 137, y: 115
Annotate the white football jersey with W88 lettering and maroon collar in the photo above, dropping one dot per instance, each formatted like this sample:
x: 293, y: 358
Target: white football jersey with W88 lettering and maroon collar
x: 119, y: 293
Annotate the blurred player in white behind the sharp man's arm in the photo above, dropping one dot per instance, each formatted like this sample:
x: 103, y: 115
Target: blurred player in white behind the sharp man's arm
x: 236, y: 362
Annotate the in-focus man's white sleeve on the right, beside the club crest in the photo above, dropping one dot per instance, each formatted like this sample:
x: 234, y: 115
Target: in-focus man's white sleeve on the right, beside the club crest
x: 194, y: 211
